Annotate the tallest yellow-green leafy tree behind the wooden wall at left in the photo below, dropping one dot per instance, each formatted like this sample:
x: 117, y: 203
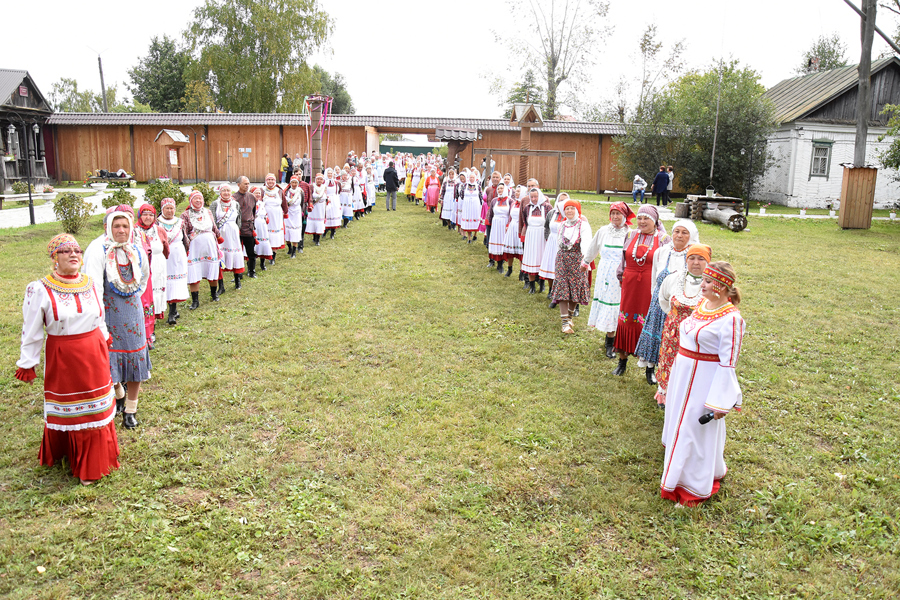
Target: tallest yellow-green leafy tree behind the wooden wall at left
x: 249, y: 51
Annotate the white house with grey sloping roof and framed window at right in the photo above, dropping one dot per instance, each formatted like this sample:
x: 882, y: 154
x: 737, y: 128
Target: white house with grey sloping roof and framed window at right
x: 817, y: 132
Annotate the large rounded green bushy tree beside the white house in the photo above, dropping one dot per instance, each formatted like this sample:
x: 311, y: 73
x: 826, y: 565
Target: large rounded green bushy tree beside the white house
x: 680, y: 123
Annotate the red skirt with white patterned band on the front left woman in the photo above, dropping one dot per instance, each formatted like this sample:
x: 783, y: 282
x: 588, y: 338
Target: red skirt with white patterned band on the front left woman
x: 79, y: 405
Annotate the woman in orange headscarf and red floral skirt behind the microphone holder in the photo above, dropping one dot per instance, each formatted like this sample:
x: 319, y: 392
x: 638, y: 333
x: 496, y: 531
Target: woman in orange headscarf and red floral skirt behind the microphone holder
x: 679, y: 295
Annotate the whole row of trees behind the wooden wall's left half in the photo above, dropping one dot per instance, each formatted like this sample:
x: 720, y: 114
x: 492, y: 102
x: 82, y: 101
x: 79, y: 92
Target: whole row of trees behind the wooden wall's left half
x: 235, y: 56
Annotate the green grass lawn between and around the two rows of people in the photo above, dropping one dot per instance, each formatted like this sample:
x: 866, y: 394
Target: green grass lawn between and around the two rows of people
x: 385, y: 417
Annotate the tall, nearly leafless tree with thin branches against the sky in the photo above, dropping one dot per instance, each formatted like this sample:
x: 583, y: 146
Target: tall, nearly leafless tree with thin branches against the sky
x: 565, y: 43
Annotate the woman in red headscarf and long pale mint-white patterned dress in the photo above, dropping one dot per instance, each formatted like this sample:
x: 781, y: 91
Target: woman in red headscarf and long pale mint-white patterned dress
x: 608, y: 245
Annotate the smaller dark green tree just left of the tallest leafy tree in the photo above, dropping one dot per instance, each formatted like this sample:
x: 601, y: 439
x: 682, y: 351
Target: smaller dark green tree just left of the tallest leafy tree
x: 158, y: 79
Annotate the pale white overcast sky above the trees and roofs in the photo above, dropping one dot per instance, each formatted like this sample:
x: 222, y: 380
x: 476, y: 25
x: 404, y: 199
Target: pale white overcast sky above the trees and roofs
x: 426, y: 62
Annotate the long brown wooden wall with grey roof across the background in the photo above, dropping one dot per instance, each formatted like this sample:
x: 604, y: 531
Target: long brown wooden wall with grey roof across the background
x: 225, y: 146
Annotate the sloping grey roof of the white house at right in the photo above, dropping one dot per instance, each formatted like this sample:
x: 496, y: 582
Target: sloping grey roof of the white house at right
x: 798, y: 97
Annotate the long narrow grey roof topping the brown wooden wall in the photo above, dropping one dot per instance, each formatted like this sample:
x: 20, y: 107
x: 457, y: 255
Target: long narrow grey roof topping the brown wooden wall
x: 290, y: 119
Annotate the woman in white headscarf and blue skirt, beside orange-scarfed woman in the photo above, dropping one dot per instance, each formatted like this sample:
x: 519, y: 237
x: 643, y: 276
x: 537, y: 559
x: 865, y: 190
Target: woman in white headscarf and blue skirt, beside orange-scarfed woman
x: 669, y: 259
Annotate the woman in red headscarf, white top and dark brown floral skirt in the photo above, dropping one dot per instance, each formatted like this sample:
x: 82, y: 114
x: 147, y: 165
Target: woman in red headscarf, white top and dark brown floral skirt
x: 571, y: 286
